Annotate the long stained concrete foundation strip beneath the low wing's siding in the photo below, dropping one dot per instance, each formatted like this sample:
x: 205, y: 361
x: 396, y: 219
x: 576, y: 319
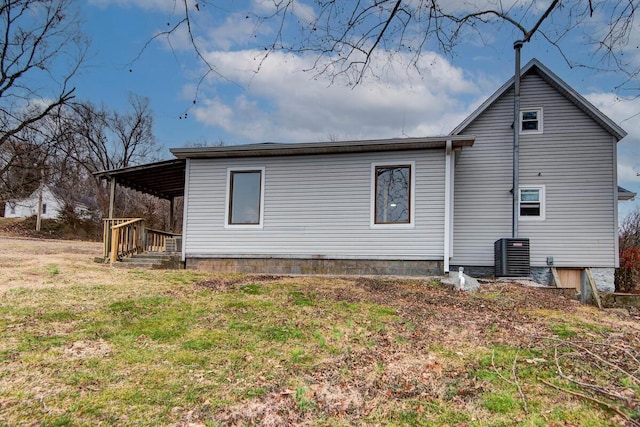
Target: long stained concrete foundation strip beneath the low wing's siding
x: 316, y: 266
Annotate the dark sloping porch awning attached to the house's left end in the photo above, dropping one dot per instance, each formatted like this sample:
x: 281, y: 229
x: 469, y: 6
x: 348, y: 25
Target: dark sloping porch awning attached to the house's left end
x: 161, y: 179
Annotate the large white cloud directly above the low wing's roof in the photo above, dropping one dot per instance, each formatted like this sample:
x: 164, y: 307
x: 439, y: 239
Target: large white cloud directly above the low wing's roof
x: 282, y: 103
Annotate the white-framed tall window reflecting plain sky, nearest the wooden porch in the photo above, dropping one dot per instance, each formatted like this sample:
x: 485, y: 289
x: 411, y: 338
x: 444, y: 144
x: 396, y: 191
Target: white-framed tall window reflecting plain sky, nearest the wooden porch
x: 245, y: 195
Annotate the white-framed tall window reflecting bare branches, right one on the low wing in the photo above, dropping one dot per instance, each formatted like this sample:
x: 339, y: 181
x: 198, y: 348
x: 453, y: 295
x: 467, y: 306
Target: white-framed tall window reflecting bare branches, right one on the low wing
x: 392, y: 194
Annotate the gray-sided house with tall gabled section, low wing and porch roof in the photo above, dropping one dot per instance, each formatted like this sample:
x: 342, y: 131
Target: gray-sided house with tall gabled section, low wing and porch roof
x: 409, y: 206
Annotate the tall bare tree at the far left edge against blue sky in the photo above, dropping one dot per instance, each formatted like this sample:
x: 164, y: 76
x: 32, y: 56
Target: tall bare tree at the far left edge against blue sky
x: 41, y: 49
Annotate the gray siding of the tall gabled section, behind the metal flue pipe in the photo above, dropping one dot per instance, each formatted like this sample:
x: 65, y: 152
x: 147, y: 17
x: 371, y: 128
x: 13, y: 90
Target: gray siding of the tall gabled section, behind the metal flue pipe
x: 573, y: 159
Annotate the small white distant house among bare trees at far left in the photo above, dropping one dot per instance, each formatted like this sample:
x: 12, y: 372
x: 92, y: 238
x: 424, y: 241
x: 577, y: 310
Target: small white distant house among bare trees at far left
x: 53, y: 202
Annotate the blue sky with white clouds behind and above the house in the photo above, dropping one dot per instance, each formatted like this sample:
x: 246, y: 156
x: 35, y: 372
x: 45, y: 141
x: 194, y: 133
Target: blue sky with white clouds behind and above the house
x: 284, y: 103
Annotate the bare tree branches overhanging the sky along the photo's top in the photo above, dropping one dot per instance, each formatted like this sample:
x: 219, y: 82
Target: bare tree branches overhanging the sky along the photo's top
x: 344, y: 36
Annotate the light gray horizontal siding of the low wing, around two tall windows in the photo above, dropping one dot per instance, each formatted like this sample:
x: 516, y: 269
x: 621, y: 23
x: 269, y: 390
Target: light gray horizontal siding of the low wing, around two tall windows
x: 315, y: 206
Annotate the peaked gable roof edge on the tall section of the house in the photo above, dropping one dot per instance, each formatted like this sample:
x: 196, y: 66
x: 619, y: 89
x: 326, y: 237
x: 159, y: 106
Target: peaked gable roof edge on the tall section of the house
x: 536, y: 67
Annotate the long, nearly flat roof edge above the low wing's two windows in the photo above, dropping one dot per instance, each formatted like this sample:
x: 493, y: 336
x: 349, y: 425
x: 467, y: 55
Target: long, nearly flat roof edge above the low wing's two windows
x: 334, y: 147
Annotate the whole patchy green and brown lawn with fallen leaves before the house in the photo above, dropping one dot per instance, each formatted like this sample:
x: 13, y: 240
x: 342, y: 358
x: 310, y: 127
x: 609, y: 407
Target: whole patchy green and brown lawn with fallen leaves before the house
x: 84, y: 344
